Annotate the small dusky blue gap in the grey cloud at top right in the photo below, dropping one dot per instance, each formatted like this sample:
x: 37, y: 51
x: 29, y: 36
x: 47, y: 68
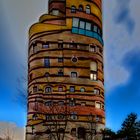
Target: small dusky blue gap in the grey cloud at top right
x: 123, y: 15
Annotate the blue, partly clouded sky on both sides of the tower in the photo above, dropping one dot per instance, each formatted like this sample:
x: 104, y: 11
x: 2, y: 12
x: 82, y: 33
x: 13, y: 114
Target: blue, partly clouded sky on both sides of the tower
x: 122, y: 62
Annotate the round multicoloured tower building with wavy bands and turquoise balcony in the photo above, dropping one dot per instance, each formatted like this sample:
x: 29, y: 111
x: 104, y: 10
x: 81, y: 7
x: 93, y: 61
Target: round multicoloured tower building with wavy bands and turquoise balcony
x: 65, y: 70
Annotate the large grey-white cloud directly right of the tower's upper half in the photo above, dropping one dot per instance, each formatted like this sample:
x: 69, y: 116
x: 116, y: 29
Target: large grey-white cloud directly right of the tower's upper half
x: 118, y: 42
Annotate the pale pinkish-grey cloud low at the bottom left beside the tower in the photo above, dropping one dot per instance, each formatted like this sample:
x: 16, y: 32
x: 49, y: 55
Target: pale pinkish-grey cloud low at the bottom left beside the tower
x: 11, y: 130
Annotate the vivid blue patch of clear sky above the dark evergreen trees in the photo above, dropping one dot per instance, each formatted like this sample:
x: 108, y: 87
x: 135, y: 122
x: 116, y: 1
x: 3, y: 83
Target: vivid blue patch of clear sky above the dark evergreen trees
x: 124, y: 98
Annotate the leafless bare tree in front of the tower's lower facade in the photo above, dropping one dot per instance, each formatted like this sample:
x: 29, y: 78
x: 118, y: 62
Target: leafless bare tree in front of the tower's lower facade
x: 57, y: 113
